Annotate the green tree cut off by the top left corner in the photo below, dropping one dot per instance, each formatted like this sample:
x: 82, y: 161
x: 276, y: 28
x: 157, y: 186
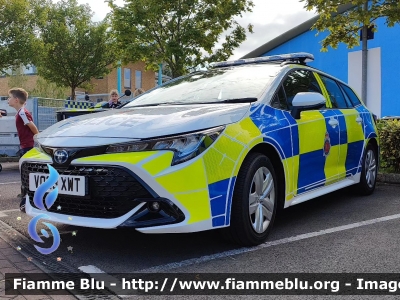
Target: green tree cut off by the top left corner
x: 18, y: 33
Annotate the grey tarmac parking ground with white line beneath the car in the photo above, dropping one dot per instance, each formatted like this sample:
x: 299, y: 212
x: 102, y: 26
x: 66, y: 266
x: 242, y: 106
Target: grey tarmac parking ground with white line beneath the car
x: 336, y: 233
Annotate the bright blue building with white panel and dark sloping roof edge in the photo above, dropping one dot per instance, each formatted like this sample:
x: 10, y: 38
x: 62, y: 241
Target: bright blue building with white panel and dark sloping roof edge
x: 383, y: 62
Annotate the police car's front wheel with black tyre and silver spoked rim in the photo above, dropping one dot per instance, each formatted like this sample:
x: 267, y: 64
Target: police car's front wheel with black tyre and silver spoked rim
x: 254, y: 202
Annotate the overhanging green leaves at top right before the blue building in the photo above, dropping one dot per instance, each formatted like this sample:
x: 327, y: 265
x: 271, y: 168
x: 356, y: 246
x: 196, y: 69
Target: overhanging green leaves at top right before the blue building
x: 345, y: 27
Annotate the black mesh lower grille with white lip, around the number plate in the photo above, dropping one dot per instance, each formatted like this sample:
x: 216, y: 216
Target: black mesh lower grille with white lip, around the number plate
x: 114, y: 197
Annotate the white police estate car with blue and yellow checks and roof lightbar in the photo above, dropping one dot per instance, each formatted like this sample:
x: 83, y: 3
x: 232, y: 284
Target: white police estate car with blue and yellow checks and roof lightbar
x: 217, y: 149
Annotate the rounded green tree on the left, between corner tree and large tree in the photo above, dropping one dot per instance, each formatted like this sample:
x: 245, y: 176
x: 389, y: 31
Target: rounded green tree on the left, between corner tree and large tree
x: 75, y: 49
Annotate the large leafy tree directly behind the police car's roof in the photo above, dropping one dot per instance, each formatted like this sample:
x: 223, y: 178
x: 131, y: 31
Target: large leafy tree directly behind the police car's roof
x: 180, y: 33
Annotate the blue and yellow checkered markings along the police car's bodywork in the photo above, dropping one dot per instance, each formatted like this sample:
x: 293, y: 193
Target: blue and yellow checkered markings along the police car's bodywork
x: 316, y: 150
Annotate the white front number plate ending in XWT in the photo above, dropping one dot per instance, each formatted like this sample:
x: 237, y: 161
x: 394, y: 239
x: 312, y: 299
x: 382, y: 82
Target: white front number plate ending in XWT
x: 67, y: 184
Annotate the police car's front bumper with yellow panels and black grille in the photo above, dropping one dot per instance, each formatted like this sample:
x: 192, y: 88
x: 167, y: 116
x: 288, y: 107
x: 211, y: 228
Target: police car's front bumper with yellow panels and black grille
x: 124, y: 198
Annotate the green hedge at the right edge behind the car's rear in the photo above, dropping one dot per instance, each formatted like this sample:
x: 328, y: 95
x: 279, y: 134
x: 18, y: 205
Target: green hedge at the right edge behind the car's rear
x: 389, y: 135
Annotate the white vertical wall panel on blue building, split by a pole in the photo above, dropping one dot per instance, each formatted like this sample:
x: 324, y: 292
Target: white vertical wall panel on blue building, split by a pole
x: 374, y: 77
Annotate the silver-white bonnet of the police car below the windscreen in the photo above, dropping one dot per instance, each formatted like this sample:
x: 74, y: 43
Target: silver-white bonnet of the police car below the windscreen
x: 134, y: 123
